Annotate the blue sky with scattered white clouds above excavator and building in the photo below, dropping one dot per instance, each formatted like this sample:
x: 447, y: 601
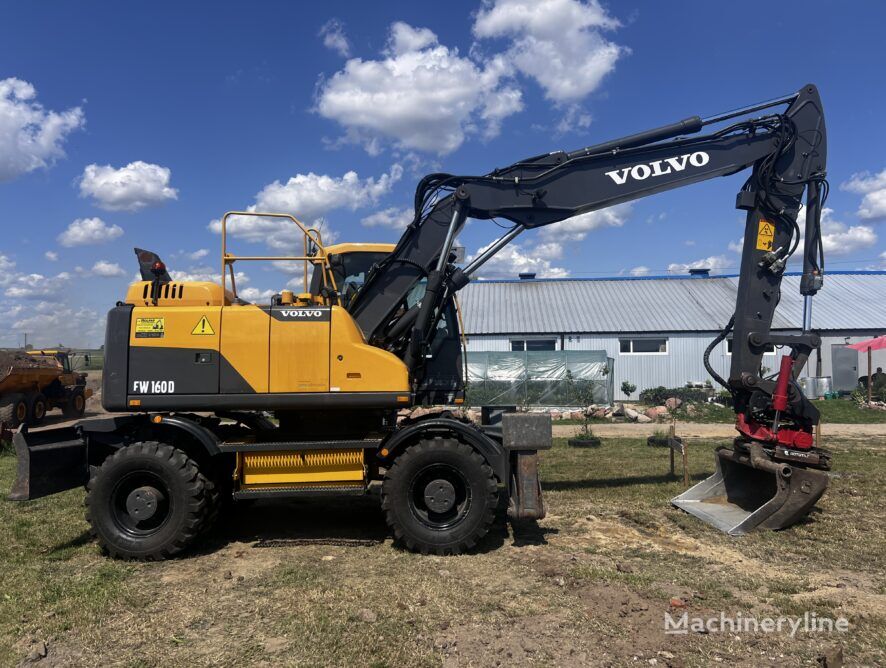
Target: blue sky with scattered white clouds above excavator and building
x: 128, y: 125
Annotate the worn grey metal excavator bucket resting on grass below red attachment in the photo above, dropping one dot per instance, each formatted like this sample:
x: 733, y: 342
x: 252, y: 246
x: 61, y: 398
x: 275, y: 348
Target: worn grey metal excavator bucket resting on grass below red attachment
x: 742, y: 495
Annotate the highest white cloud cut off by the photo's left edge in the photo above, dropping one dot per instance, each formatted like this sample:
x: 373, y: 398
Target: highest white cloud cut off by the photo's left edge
x: 30, y: 136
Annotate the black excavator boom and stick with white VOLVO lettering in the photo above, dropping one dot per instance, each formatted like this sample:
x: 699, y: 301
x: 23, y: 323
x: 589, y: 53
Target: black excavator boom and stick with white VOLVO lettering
x: 786, y: 151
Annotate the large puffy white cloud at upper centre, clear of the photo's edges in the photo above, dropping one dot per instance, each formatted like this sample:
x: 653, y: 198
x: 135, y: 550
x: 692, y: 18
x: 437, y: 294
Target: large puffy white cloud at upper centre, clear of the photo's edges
x: 419, y: 95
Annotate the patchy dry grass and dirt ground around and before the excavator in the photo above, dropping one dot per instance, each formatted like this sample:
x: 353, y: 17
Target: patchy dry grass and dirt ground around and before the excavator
x: 313, y: 582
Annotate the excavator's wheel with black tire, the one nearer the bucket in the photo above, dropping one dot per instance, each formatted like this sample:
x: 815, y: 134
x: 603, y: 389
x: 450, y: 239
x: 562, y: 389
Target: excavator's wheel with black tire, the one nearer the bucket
x: 461, y: 479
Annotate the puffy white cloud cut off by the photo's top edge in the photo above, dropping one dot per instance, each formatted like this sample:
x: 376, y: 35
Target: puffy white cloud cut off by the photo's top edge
x: 558, y: 43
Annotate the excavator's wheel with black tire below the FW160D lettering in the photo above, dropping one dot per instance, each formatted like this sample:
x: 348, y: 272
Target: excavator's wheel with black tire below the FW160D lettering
x: 157, y: 481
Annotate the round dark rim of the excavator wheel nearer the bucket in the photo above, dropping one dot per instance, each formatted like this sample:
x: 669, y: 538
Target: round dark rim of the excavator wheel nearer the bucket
x: 439, y: 496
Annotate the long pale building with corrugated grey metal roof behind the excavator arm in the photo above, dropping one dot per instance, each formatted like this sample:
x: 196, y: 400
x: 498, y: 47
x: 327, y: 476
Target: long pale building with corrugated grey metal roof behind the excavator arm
x: 656, y: 328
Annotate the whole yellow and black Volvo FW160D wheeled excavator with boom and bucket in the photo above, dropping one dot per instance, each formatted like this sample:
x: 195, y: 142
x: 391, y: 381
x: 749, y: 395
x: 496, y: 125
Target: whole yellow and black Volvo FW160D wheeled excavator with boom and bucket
x: 213, y: 398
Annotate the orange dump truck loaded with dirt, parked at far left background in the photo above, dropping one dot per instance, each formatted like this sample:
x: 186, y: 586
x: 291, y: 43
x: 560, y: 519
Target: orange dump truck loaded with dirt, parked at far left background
x: 38, y: 381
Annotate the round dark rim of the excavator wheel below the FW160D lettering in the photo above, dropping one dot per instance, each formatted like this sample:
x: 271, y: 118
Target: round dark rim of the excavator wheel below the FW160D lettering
x: 140, y: 504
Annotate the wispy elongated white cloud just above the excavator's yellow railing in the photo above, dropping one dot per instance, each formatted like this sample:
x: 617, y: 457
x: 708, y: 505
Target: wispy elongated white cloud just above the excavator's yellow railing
x: 308, y: 197
